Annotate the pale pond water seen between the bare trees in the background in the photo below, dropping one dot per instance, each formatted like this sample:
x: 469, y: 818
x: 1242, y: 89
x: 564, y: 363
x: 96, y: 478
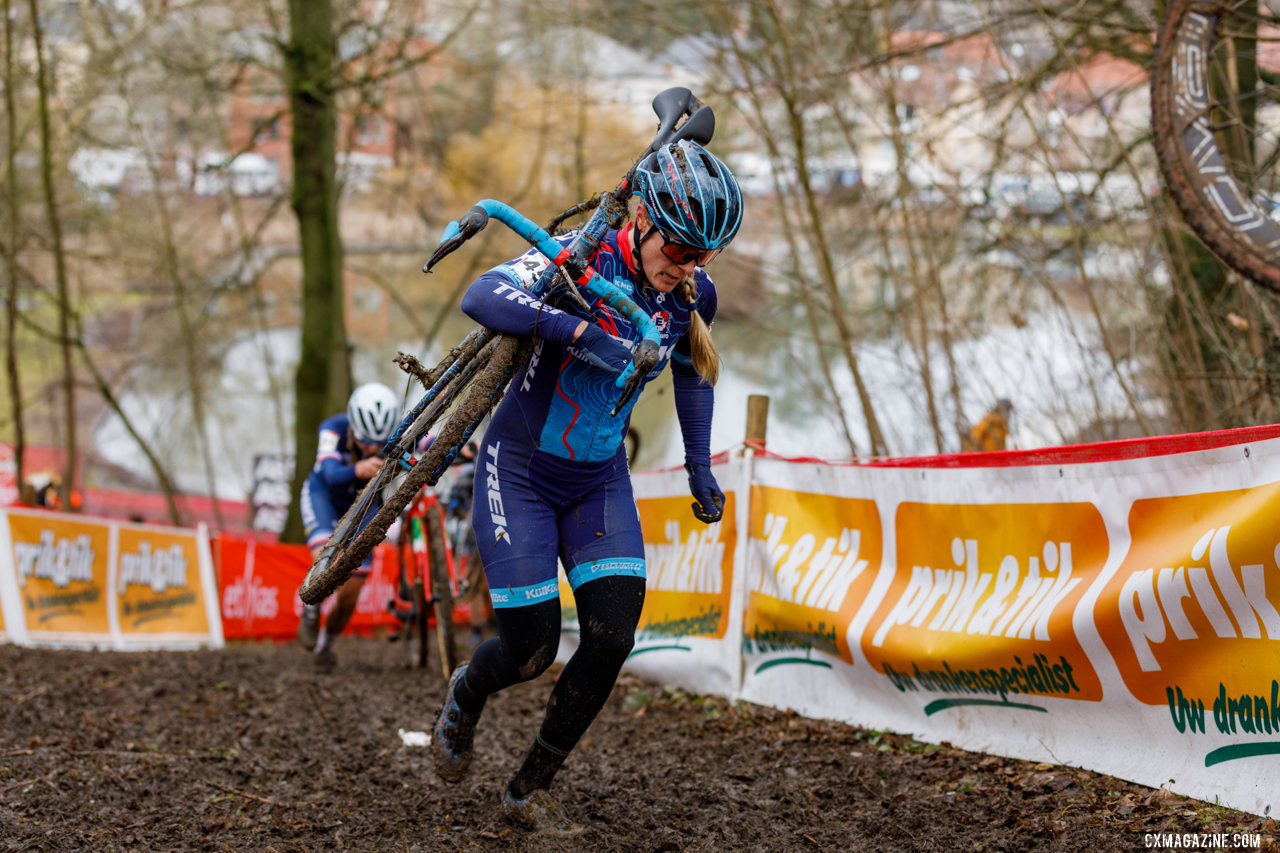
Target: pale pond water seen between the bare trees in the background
x: 1058, y: 384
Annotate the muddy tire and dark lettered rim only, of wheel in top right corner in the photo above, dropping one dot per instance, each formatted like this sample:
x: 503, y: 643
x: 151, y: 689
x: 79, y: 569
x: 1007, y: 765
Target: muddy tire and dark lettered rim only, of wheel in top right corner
x: 1213, y: 200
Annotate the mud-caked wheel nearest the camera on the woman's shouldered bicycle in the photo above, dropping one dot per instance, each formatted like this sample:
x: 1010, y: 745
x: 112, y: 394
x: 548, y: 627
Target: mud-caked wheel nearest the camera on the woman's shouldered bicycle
x: 483, y: 395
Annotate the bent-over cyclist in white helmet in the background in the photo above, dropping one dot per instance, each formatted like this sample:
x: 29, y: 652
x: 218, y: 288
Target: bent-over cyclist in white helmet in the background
x: 349, y: 457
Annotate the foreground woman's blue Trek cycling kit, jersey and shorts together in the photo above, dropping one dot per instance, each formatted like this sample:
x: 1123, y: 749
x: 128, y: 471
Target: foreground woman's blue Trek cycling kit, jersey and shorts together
x: 552, y: 477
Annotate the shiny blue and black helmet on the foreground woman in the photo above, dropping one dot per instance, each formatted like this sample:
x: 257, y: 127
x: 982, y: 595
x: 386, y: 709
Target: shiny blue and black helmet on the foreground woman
x: 691, y: 195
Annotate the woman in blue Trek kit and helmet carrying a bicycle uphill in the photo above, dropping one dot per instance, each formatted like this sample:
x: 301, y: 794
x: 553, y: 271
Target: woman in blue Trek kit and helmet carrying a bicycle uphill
x: 552, y: 480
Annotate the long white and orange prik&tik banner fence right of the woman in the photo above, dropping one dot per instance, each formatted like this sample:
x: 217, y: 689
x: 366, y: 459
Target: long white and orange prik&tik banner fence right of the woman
x: 1113, y: 606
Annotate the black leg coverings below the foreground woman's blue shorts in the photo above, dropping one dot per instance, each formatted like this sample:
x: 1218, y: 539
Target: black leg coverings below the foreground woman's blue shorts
x: 609, y: 610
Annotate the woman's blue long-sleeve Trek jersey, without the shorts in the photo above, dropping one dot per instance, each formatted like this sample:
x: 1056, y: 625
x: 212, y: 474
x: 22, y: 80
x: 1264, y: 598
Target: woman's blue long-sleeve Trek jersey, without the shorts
x: 563, y: 400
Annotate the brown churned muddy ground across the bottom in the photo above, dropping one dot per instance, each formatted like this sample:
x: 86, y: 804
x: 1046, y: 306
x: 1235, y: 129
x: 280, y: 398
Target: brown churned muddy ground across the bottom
x: 253, y: 750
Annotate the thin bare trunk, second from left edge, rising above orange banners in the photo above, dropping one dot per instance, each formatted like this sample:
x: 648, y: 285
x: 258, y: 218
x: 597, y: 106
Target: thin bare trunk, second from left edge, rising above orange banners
x: 56, y: 232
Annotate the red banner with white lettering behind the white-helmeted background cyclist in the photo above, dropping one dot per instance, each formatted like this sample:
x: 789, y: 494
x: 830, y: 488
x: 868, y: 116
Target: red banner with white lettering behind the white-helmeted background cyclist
x: 259, y: 583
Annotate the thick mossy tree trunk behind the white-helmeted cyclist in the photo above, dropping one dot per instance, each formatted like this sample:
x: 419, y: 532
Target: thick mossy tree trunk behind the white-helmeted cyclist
x: 324, y: 375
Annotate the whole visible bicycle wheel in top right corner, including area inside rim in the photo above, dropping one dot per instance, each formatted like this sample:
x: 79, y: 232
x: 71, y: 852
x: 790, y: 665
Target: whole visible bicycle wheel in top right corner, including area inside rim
x: 1212, y: 94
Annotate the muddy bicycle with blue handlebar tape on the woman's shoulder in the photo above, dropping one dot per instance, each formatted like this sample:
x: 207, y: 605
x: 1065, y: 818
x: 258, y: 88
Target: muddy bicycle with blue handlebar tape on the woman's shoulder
x: 473, y: 378
